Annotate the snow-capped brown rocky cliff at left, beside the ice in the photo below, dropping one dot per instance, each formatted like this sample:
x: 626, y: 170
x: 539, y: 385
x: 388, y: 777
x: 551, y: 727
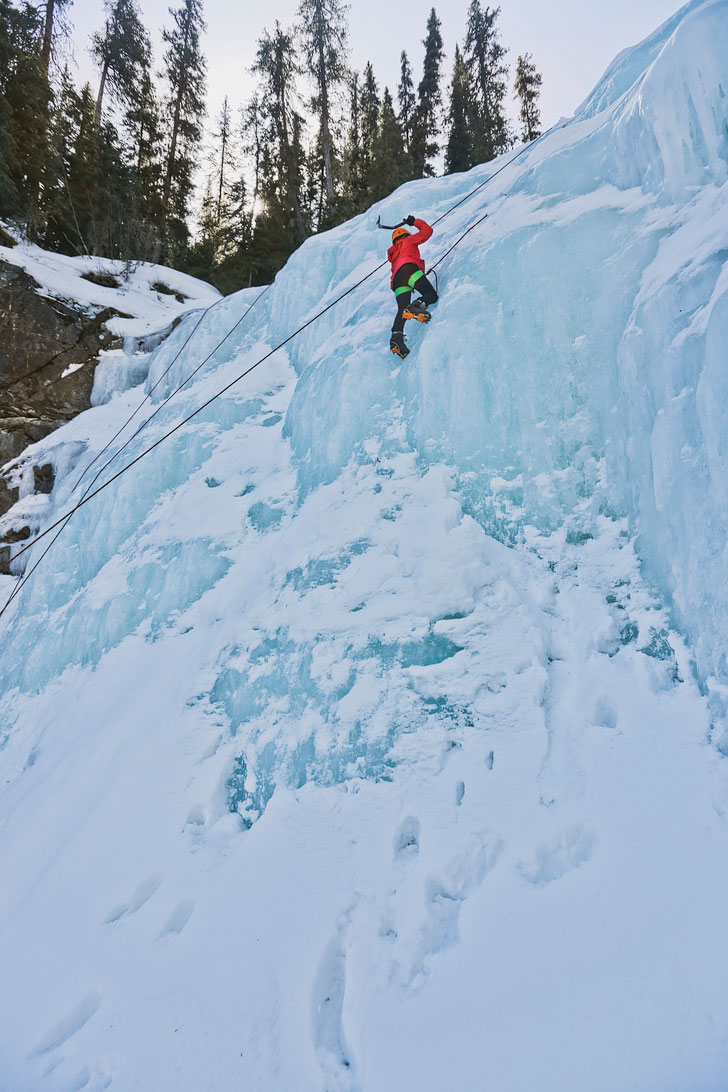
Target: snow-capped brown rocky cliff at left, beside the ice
x: 61, y: 317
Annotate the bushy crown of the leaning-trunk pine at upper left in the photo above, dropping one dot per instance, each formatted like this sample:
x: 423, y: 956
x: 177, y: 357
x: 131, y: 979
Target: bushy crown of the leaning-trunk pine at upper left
x: 123, y: 52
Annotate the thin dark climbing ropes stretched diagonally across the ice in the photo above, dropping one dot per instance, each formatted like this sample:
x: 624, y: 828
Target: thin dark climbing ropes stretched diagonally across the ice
x: 91, y: 493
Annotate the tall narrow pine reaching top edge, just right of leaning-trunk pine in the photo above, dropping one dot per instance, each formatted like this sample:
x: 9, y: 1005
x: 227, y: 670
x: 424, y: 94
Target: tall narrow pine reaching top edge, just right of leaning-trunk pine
x: 185, y: 68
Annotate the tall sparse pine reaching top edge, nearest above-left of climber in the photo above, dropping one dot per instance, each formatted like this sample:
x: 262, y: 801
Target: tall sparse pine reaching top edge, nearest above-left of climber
x: 325, y: 49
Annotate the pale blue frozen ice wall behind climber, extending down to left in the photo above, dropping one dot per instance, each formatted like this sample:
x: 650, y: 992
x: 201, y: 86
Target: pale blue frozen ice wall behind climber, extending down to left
x: 575, y: 369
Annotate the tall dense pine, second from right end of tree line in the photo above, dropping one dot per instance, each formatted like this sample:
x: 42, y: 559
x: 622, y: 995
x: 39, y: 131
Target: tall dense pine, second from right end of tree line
x: 485, y: 58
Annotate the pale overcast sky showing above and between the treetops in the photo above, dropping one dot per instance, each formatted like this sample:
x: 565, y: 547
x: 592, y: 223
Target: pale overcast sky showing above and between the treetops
x: 572, y: 41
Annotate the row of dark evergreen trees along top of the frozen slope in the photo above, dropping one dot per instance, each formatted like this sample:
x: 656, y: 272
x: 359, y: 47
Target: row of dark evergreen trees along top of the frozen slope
x: 113, y: 172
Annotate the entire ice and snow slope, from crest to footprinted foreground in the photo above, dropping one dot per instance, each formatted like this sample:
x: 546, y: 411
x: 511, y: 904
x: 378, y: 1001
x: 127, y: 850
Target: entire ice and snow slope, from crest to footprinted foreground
x: 363, y: 738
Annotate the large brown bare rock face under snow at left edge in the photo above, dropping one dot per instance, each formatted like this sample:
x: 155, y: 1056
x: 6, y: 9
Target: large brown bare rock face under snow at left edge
x: 49, y: 354
